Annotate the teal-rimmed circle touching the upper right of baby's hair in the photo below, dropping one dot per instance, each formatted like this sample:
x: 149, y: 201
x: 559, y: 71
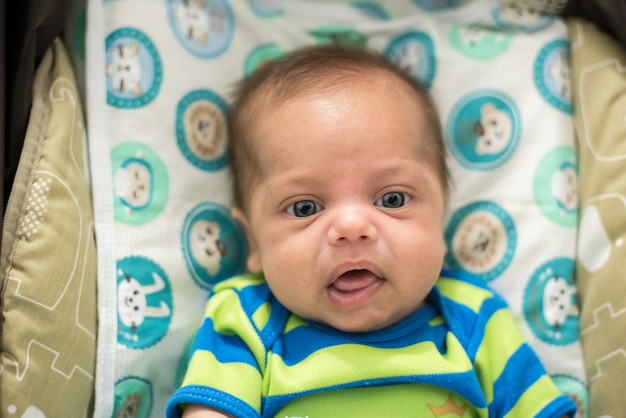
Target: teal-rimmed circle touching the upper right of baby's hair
x: 414, y: 51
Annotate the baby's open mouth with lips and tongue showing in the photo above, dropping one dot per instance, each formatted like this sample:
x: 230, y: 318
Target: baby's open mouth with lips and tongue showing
x: 354, y: 288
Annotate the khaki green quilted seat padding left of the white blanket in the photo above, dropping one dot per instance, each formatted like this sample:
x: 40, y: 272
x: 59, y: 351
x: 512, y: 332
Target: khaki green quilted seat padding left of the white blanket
x: 48, y: 277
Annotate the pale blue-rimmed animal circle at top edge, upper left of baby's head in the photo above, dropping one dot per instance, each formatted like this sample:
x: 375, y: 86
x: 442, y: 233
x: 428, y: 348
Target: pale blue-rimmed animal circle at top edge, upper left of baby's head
x: 203, y: 27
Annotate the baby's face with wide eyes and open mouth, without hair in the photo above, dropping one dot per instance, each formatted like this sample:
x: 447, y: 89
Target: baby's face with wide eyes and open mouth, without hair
x: 346, y: 222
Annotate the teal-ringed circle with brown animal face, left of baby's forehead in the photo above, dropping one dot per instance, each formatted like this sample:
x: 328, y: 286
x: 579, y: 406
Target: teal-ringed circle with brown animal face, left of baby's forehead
x: 201, y: 129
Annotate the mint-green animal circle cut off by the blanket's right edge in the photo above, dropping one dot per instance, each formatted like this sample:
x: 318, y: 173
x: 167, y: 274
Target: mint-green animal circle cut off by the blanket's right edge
x: 555, y: 186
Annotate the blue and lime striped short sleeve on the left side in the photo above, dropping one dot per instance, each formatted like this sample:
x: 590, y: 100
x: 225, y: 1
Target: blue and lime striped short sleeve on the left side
x: 228, y: 343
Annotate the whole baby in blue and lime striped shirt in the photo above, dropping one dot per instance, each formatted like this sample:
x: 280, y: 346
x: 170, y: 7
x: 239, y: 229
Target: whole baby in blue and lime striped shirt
x: 341, y: 186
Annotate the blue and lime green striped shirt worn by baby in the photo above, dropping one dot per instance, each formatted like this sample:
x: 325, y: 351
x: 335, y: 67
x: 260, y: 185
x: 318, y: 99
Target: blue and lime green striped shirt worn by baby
x: 461, y: 354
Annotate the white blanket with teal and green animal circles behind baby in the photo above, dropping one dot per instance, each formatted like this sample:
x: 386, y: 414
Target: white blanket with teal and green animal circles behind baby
x: 159, y: 73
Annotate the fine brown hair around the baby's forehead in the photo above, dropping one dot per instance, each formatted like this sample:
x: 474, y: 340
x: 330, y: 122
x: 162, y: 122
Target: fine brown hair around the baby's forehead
x: 312, y: 69
